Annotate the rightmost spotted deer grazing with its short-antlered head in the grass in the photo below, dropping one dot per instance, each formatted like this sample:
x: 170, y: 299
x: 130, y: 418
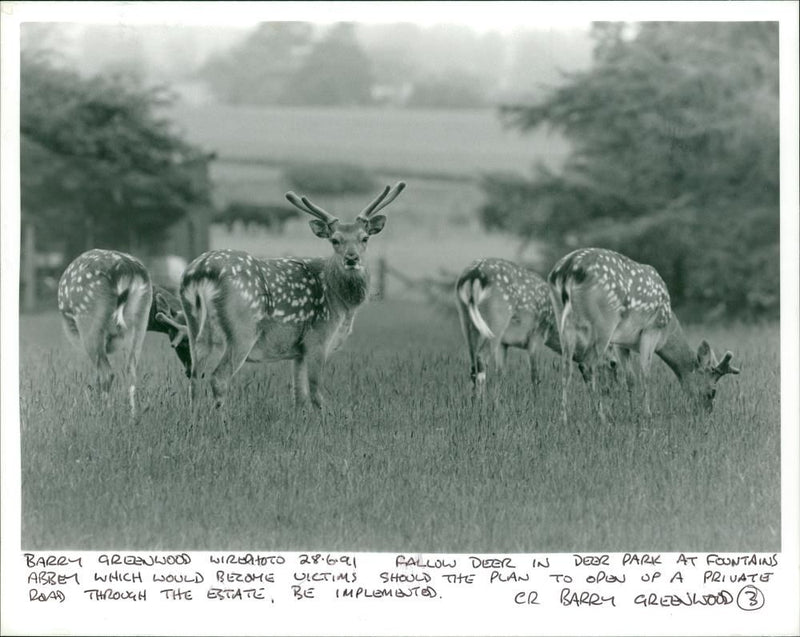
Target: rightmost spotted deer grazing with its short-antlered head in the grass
x: 603, y: 298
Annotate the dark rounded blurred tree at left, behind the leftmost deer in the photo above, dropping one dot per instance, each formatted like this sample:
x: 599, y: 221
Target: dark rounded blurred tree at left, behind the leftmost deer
x: 98, y: 166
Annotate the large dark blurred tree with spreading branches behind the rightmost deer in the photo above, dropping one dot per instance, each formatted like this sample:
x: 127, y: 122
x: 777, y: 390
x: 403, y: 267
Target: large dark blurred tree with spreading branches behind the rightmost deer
x: 675, y: 156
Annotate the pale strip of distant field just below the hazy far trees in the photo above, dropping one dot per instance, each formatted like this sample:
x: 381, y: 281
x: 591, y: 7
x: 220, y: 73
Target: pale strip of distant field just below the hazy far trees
x: 454, y: 144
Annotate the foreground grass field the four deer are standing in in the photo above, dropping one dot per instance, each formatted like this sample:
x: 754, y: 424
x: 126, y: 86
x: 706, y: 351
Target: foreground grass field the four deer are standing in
x: 404, y: 460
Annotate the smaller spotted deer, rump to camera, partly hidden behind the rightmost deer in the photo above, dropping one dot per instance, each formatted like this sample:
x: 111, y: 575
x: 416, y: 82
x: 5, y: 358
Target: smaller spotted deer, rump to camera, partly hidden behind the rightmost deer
x: 502, y: 304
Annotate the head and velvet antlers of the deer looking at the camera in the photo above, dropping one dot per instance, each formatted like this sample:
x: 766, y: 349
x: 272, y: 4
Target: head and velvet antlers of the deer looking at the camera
x: 349, y: 239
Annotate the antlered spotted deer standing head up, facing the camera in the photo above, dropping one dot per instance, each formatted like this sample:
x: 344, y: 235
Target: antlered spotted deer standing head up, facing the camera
x: 239, y: 308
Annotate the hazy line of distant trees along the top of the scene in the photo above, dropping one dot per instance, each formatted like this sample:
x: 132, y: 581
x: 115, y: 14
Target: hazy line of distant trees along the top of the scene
x: 290, y: 63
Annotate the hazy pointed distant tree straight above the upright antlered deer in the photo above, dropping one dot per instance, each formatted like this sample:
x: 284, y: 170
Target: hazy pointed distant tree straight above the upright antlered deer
x: 335, y: 72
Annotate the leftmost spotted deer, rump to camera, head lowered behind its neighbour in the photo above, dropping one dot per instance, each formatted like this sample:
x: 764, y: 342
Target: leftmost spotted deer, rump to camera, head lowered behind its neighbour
x: 106, y: 303
